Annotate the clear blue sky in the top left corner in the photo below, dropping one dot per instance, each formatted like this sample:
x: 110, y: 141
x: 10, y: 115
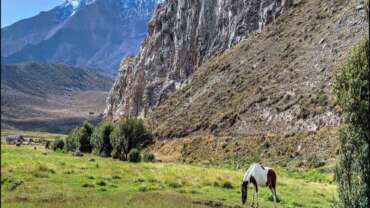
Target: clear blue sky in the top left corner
x: 15, y: 10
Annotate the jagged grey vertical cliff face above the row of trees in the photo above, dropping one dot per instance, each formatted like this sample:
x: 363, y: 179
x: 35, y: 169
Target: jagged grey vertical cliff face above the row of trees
x: 182, y: 35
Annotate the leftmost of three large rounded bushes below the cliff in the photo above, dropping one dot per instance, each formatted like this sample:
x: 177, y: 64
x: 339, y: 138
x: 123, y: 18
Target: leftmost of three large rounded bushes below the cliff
x: 80, y: 138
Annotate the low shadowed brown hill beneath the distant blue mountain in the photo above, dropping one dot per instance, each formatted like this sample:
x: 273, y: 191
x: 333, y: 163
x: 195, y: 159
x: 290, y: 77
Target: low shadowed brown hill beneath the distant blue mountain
x: 50, y: 97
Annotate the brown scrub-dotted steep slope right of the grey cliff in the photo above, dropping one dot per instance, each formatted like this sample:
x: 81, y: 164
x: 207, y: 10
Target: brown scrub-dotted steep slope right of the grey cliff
x: 270, y: 95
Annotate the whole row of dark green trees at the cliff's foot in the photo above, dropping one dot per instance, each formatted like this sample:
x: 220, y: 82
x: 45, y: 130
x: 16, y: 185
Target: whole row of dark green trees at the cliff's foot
x: 122, y: 140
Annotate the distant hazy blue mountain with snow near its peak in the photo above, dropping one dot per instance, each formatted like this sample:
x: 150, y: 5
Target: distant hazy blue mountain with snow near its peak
x: 84, y: 33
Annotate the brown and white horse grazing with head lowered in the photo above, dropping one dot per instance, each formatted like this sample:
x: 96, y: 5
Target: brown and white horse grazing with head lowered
x: 259, y: 176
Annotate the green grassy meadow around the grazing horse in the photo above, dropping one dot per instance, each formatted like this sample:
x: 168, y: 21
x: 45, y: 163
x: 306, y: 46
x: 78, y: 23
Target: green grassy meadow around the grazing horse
x: 30, y: 178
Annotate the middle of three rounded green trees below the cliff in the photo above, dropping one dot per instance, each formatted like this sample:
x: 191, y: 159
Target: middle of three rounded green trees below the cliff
x: 101, y: 140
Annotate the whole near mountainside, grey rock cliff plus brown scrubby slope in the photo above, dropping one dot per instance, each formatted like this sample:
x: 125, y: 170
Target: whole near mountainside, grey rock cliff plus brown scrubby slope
x: 216, y: 82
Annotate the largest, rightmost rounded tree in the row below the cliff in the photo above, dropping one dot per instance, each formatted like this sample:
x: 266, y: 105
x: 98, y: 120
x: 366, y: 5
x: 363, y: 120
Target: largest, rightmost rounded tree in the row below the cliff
x: 129, y: 133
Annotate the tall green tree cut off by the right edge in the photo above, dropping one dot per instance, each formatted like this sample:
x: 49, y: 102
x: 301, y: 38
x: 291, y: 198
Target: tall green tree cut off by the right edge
x: 352, y: 91
